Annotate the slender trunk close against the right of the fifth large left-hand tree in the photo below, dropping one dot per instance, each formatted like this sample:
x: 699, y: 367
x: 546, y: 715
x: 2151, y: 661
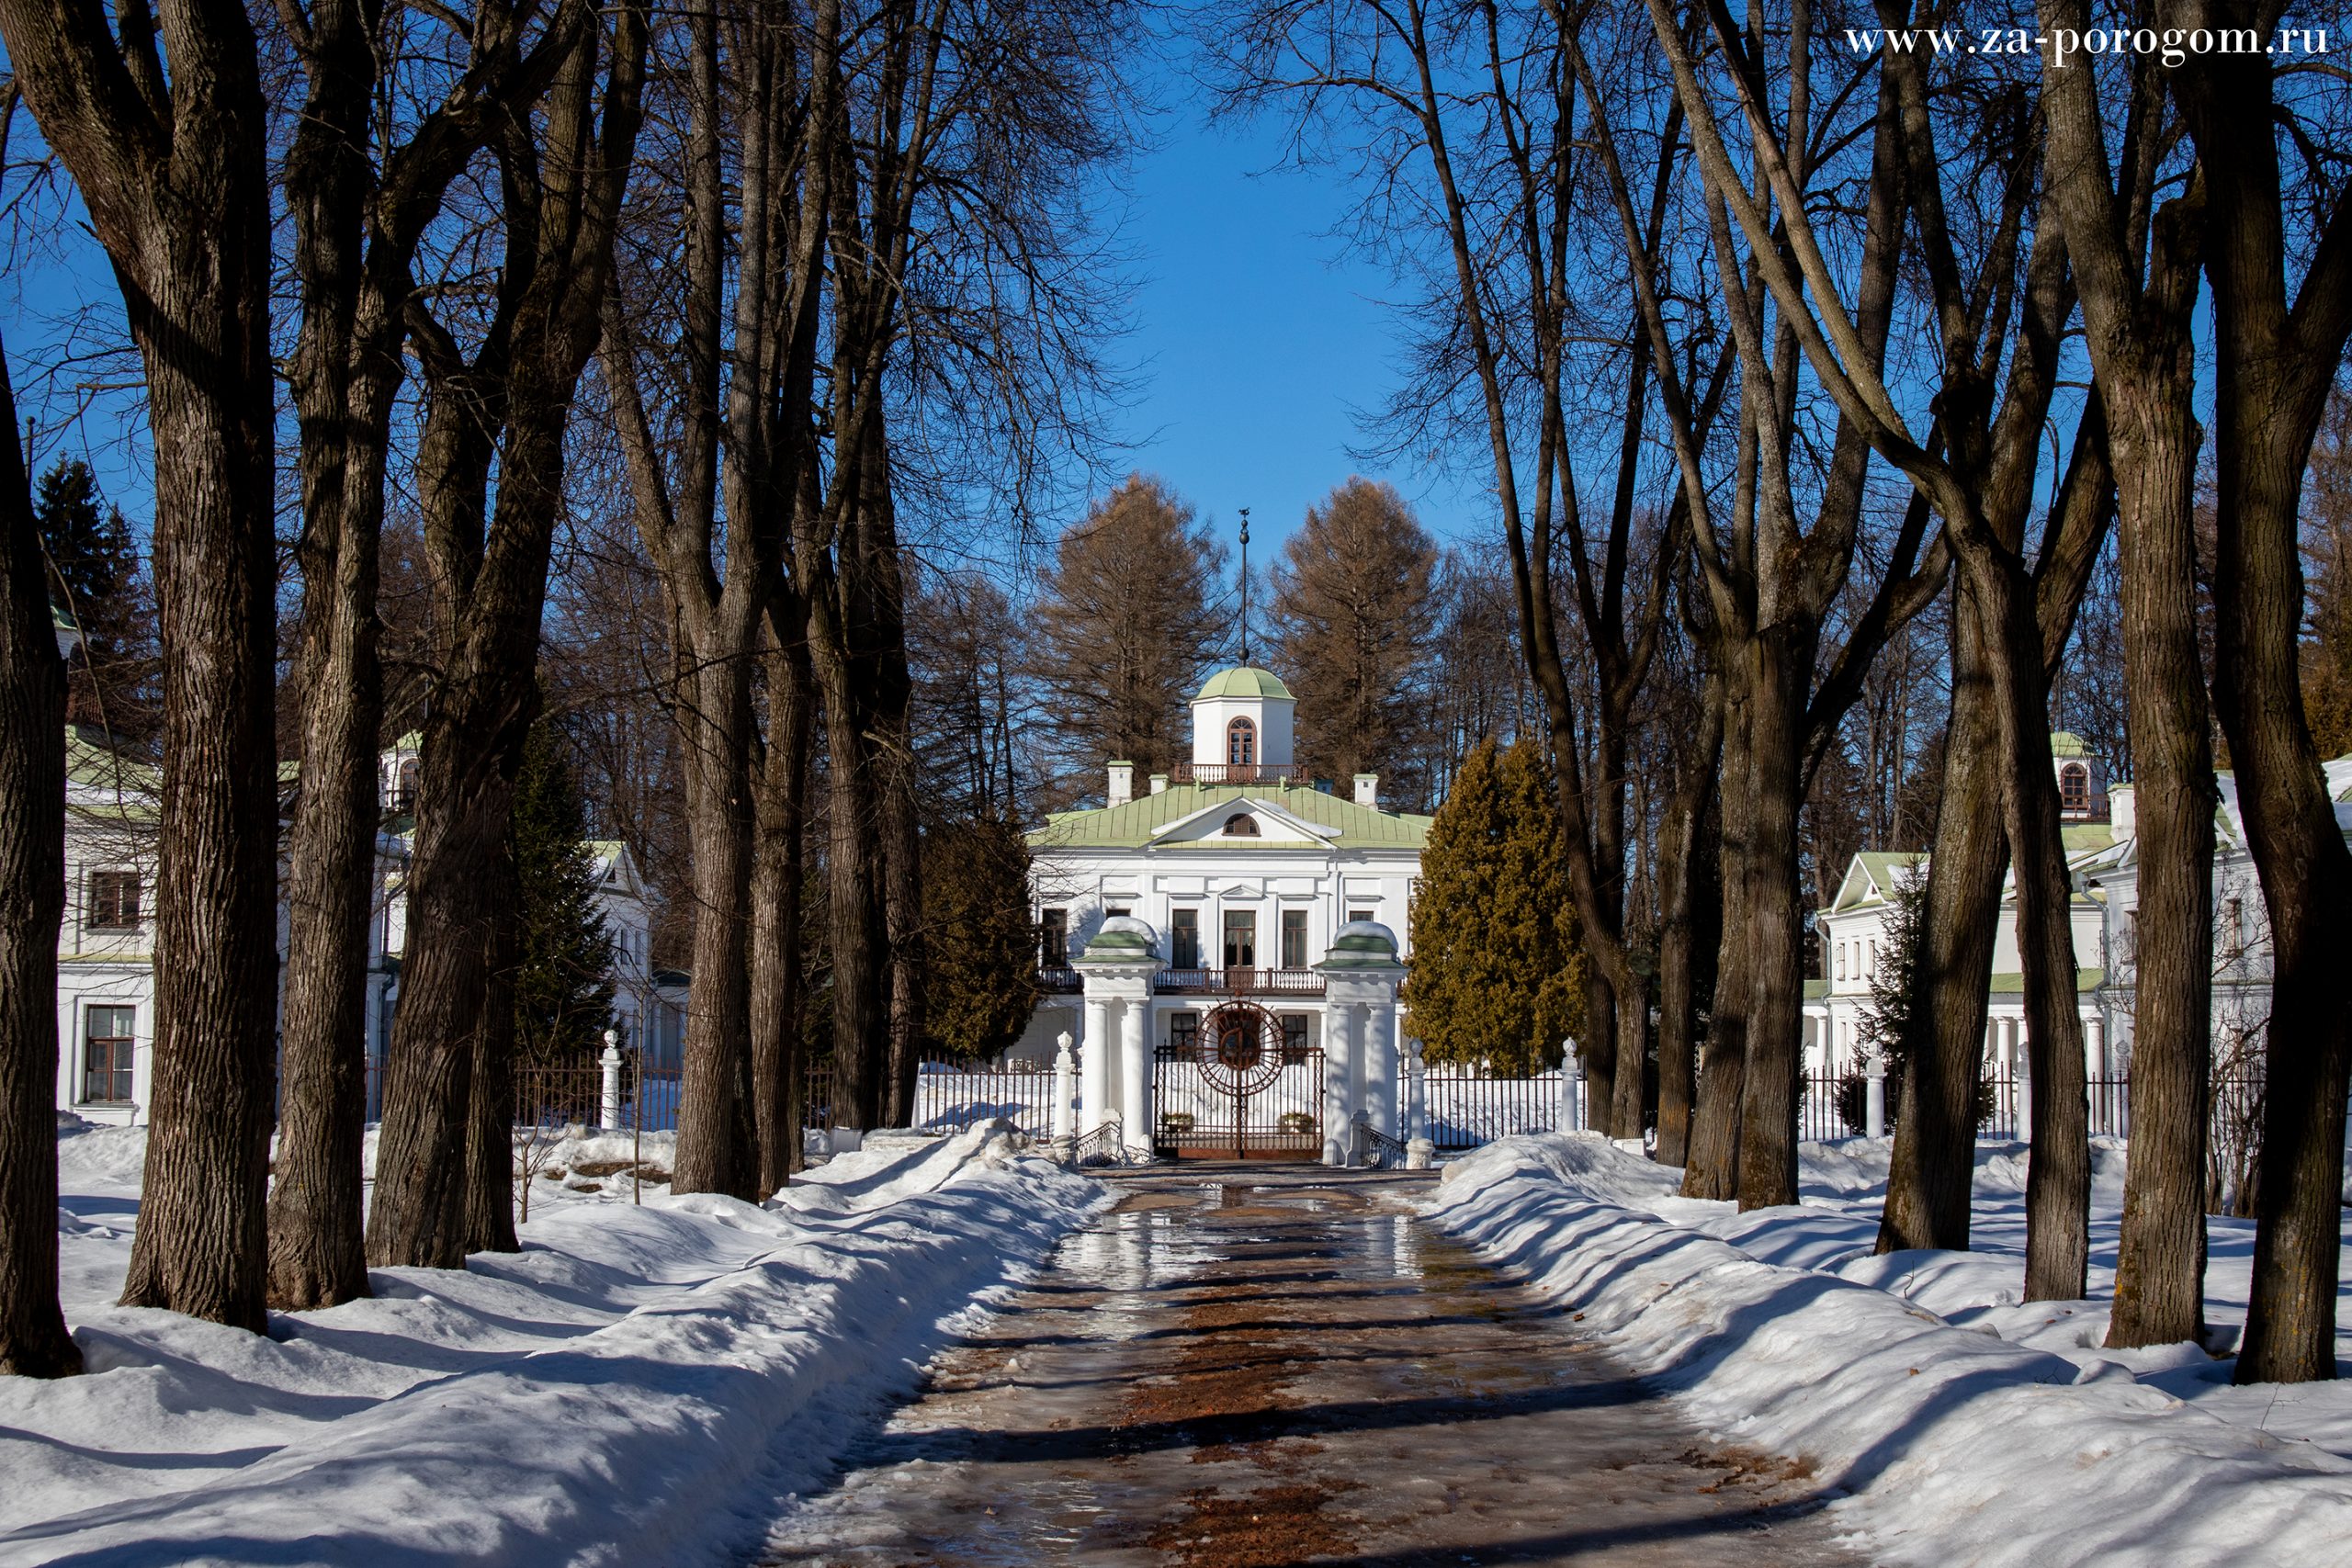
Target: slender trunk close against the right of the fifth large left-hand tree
x: 777, y: 892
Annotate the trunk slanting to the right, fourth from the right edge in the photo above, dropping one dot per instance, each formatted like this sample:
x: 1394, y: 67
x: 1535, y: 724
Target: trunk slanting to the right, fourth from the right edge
x: 1935, y: 1158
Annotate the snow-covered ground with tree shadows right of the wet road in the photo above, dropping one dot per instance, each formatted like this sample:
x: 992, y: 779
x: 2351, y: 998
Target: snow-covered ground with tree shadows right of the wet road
x: 1953, y: 1423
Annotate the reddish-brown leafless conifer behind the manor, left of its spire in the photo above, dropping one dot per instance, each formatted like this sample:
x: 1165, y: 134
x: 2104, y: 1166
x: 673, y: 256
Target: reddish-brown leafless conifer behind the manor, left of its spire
x: 1125, y: 629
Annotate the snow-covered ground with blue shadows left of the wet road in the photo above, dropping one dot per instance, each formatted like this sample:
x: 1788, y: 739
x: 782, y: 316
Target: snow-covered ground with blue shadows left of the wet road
x: 639, y: 1383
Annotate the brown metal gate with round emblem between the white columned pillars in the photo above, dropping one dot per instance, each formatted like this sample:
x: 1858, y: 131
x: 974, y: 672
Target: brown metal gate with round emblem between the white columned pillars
x: 1236, y: 1092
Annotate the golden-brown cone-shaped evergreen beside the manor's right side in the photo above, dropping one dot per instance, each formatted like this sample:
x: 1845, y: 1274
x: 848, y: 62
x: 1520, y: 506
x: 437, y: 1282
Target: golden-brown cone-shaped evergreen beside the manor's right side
x: 1497, y: 972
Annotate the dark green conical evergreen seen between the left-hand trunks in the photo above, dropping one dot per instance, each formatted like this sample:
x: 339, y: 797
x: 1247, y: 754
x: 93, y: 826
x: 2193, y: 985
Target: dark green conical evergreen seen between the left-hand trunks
x: 563, y: 953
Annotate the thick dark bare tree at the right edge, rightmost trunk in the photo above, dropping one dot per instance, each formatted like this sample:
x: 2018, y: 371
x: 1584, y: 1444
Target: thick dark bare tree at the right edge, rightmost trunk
x: 2278, y: 354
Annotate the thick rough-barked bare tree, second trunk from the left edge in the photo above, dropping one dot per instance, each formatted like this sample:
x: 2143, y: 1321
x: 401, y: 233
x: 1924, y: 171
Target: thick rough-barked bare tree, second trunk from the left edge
x: 173, y: 170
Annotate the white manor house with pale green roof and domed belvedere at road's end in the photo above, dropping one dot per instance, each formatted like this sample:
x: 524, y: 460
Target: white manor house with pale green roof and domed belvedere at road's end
x: 1227, y: 934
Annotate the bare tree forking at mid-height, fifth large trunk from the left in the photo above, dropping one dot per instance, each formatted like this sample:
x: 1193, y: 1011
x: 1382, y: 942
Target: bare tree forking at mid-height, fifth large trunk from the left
x: 716, y: 514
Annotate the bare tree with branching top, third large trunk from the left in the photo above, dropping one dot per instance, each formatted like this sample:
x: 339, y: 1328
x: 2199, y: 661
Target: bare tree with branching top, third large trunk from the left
x: 356, y: 234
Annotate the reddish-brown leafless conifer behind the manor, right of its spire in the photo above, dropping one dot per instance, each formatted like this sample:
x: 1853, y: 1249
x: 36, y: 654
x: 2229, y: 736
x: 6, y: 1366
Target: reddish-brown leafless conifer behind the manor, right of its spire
x: 1356, y: 615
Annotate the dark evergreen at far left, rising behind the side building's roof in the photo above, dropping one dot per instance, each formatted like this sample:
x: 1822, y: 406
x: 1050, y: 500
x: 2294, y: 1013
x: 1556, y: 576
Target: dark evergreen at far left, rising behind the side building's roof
x: 95, y: 579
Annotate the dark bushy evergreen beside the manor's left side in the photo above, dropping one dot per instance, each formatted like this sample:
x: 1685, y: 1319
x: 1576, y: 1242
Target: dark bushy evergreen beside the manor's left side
x: 982, y: 974
